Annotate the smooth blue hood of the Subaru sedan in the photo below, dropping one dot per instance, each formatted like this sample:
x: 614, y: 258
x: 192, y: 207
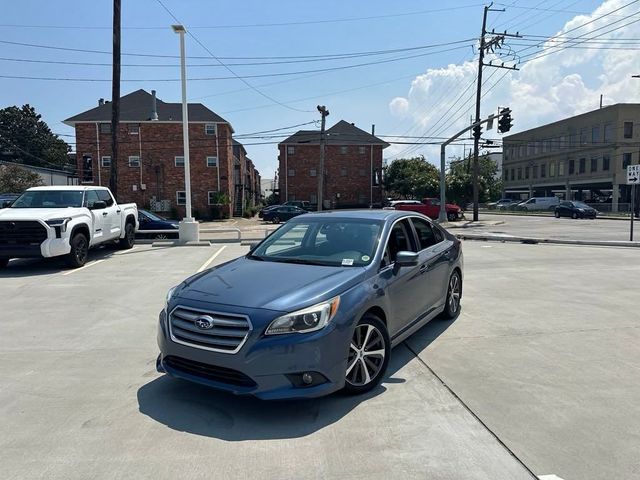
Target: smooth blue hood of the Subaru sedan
x: 270, y: 285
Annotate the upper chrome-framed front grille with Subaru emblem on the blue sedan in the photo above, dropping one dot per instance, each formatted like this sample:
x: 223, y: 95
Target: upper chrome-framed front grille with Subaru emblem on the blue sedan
x: 227, y: 335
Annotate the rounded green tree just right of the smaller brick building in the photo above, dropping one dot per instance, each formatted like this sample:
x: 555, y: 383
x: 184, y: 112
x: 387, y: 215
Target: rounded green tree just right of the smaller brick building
x: 412, y: 177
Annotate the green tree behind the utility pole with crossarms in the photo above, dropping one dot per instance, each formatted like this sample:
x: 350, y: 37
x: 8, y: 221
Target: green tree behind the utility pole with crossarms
x: 459, y: 180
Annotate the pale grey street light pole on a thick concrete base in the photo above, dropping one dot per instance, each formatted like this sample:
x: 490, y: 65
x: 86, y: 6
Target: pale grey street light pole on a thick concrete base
x: 188, y: 226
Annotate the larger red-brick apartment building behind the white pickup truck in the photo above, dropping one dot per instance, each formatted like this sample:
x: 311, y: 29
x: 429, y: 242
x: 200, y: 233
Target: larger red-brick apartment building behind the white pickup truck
x: 150, y: 154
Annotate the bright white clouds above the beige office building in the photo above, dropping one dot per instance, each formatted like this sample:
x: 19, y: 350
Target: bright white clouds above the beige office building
x: 546, y: 89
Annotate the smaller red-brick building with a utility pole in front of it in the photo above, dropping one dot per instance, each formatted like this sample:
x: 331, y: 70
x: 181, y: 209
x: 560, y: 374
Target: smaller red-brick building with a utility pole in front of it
x: 353, y: 167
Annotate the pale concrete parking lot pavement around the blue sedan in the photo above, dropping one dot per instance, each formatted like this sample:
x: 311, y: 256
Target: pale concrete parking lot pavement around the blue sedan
x: 541, y: 368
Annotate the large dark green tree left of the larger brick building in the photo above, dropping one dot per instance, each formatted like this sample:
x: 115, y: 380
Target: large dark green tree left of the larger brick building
x: 25, y: 138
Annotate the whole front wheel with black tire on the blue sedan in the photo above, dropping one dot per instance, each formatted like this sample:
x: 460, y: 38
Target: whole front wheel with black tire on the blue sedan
x: 362, y: 362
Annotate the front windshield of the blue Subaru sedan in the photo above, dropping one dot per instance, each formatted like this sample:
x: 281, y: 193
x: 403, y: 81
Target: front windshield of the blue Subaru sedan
x: 335, y: 242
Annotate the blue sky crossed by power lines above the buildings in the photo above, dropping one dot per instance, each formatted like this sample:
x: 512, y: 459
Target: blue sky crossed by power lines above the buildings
x: 405, y: 98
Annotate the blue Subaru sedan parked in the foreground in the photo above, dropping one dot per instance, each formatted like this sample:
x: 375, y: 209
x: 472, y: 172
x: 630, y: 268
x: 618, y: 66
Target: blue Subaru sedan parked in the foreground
x: 314, y: 308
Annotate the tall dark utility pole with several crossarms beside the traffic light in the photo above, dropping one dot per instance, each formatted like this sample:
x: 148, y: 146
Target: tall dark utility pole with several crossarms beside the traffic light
x: 495, y: 42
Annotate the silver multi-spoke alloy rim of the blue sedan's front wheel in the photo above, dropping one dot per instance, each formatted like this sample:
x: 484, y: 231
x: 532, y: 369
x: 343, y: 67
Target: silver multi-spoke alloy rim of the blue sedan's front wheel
x: 366, y: 355
